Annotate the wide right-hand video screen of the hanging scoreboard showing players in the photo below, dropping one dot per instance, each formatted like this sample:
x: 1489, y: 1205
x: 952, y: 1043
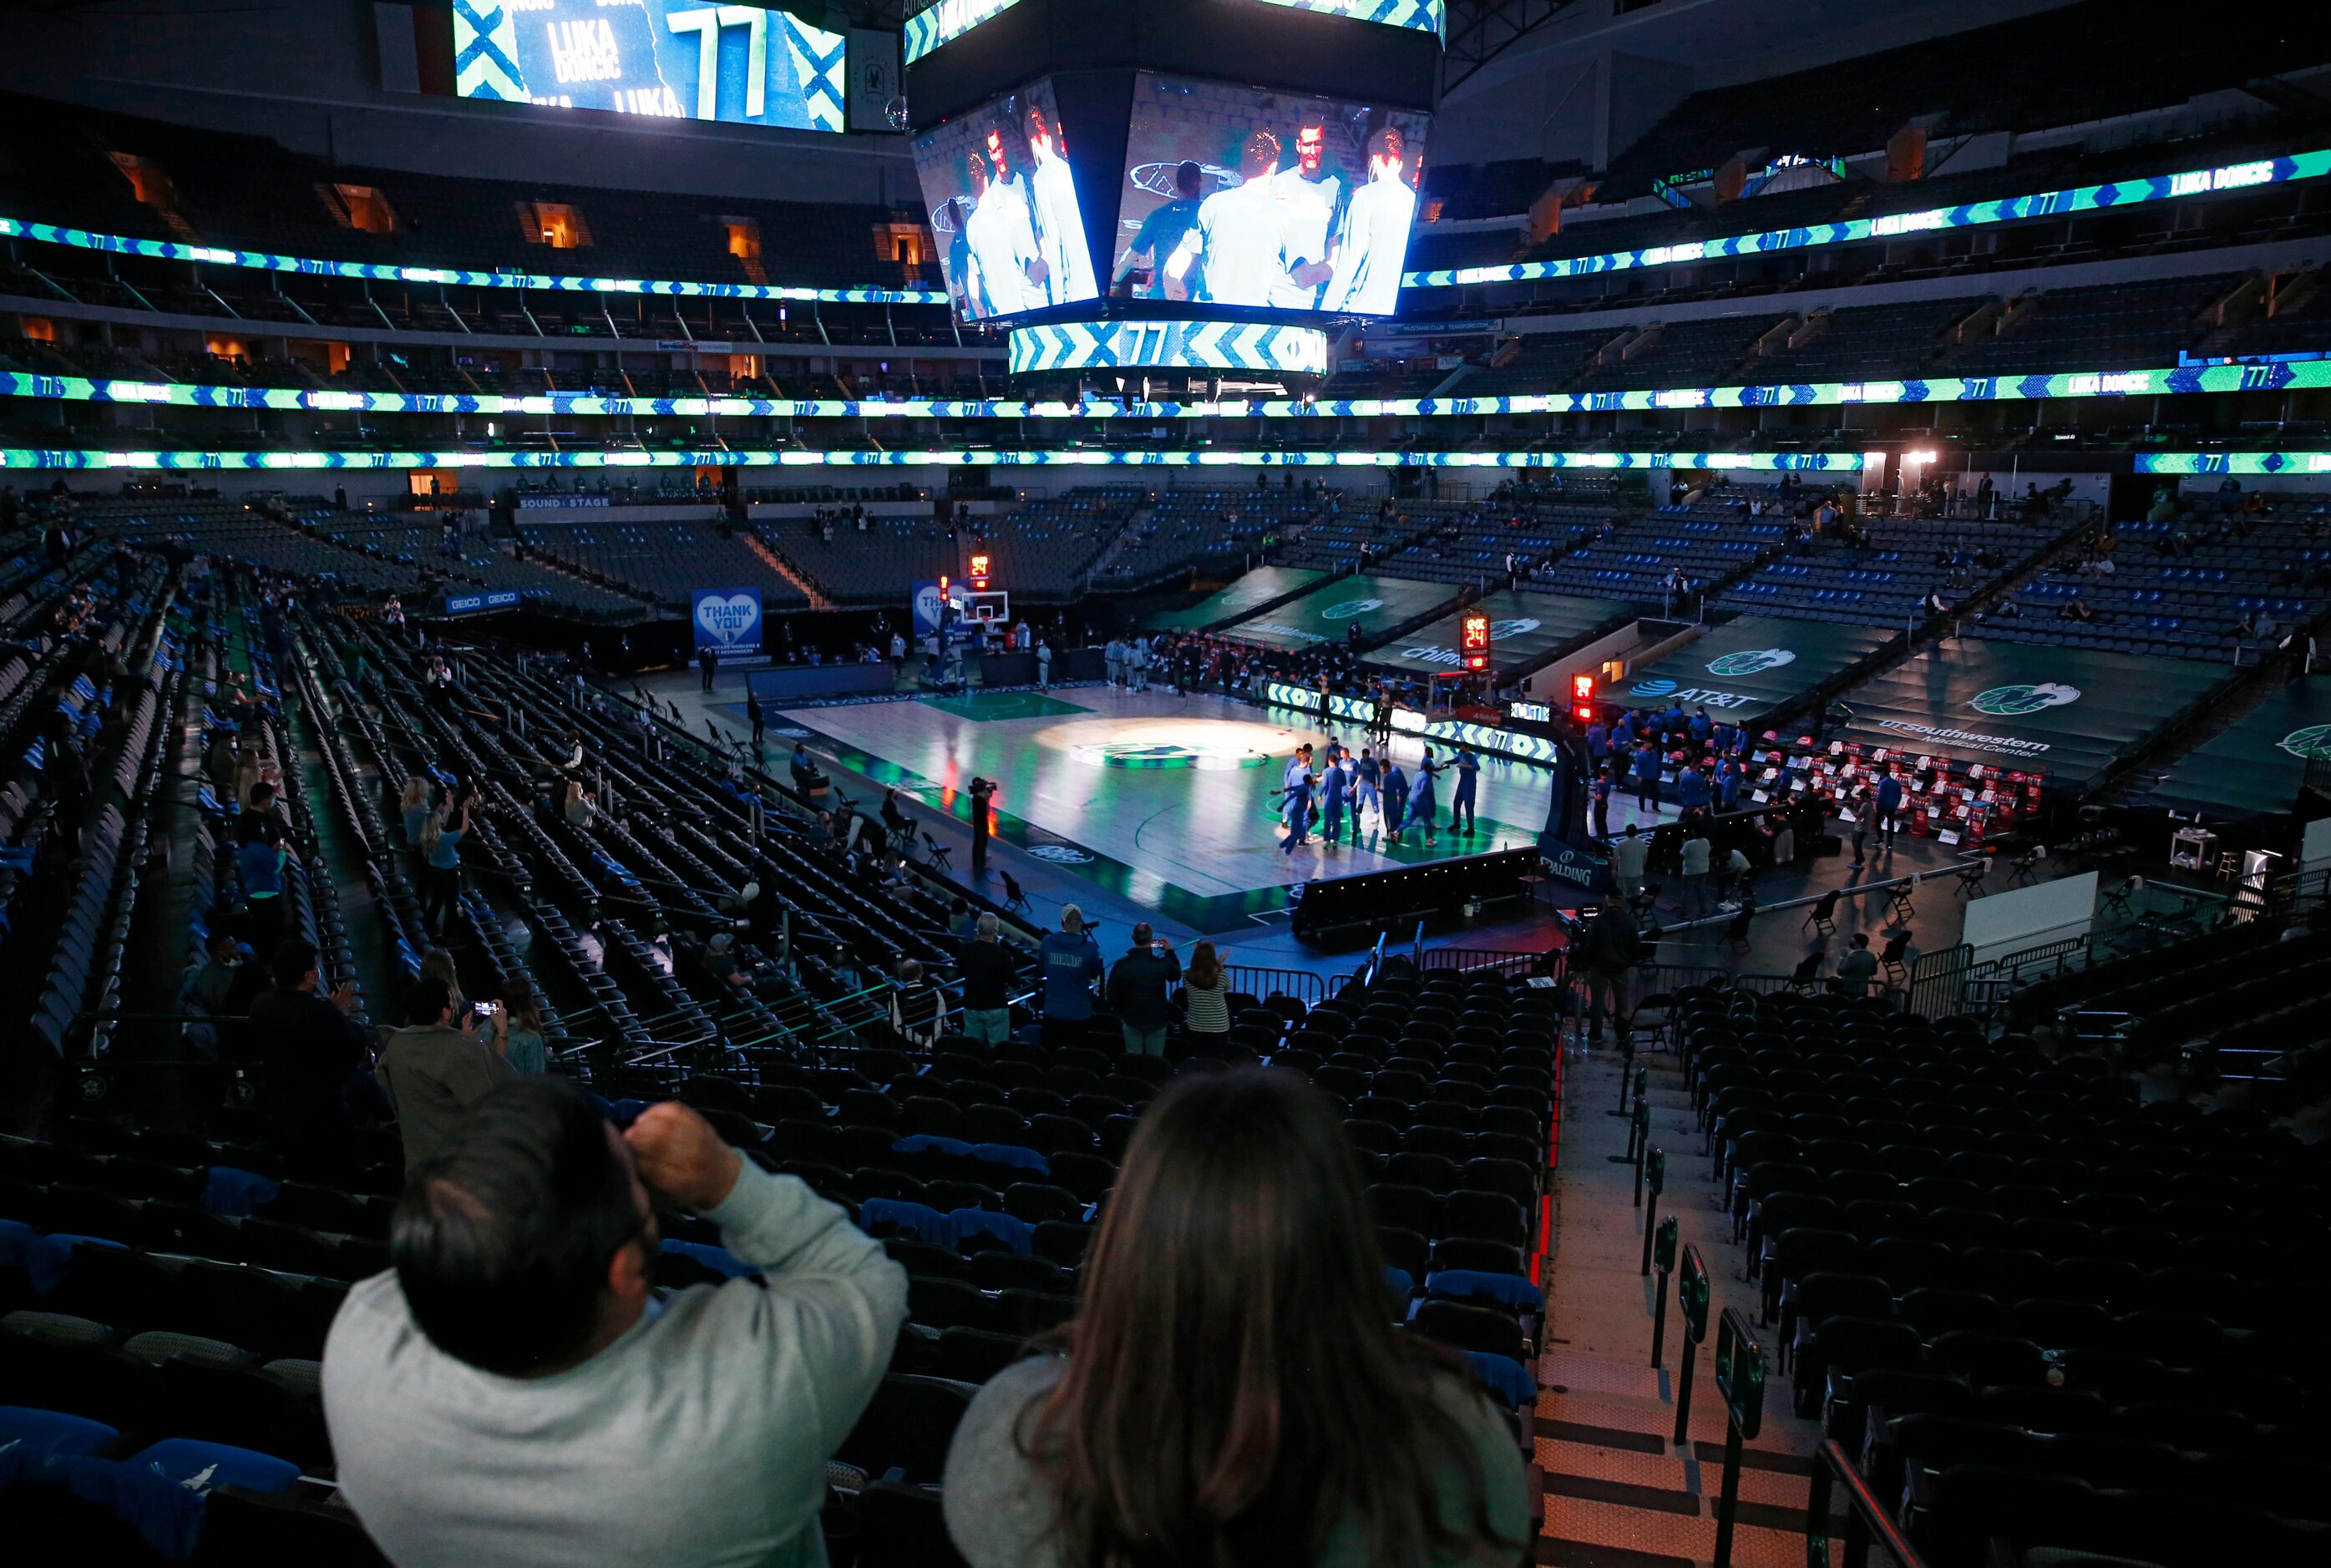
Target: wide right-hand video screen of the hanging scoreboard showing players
x: 1258, y: 199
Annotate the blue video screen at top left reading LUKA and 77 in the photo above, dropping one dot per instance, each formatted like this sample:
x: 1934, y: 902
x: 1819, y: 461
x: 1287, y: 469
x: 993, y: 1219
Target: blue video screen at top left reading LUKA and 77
x: 675, y: 59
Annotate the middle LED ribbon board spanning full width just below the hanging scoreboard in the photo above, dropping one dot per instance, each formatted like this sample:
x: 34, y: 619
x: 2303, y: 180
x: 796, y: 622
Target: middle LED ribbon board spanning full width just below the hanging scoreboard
x: 2178, y: 381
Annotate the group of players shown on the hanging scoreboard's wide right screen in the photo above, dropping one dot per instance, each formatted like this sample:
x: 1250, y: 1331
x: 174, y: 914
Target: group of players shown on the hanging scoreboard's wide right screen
x: 1283, y: 239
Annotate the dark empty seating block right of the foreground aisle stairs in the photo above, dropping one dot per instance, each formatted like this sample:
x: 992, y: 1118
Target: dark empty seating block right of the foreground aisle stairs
x: 2029, y: 1306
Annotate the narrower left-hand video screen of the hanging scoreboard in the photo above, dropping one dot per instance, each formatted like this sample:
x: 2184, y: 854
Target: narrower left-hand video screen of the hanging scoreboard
x: 1003, y: 206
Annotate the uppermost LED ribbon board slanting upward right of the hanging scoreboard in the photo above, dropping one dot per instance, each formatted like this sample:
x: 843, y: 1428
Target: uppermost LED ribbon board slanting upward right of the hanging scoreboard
x: 1894, y: 225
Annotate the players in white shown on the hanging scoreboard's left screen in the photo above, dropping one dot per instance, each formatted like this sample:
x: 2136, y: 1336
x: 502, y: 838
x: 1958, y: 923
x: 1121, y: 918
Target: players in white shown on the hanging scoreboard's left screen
x: 1017, y: 239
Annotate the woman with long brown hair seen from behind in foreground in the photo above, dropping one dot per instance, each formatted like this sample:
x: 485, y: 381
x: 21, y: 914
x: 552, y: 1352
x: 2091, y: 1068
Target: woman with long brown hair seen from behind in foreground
x: 1232, y: 1392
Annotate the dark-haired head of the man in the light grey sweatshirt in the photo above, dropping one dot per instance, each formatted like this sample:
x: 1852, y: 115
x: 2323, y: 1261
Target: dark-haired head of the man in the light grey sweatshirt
x: 505, y: 1236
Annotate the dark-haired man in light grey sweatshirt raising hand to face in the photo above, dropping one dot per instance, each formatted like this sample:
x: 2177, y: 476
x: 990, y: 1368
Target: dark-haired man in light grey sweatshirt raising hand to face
x: 512, y: 1390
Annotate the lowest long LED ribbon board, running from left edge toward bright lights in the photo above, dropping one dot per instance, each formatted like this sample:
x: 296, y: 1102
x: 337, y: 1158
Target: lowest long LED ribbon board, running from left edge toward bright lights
x: 973, y: 458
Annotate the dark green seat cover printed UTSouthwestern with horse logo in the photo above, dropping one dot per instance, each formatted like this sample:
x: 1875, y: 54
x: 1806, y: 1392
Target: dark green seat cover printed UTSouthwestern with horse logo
x: 2066, y: 712
